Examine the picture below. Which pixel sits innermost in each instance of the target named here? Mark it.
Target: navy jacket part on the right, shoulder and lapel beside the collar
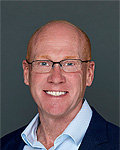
(100, 134)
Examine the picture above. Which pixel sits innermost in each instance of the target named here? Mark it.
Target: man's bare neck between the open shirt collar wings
(49, 130)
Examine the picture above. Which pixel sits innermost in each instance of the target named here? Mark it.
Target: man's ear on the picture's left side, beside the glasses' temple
(25, 72)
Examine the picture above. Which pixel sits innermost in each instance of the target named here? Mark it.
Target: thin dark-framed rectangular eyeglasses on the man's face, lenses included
(68, 65)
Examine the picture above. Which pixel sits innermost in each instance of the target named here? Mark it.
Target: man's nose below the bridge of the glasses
(56, 75)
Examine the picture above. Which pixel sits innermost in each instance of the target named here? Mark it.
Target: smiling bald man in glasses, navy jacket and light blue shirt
(57, 69)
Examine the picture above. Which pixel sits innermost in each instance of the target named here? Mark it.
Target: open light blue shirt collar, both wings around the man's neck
(75, 130)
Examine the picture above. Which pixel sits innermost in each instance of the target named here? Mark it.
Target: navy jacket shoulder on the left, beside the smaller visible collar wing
(12, 138)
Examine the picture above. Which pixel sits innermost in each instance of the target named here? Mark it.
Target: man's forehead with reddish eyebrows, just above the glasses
(55, 49)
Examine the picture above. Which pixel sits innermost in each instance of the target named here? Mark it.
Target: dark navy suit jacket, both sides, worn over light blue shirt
(100, 135)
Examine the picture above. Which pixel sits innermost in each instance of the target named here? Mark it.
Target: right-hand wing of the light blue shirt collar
(78, 127)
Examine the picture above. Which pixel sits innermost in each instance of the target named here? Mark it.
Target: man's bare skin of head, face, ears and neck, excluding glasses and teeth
(56, 41)
